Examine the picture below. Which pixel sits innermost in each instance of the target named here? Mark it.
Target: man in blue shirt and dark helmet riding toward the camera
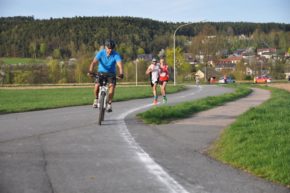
(107, 59)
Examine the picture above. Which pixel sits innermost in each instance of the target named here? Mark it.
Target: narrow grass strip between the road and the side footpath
(165, 114)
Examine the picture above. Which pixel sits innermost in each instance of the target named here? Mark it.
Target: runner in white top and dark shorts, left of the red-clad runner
(153, 70)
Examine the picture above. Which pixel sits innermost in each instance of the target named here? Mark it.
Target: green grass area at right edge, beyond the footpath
(258, 141)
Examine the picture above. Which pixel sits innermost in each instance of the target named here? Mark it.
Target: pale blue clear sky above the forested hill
(260, 11)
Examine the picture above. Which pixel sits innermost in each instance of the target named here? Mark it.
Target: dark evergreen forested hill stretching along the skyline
(69, 37)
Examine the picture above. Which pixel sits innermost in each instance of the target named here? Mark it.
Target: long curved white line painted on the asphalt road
(172, 185)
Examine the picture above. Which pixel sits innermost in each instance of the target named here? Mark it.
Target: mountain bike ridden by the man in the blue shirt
(103, 93)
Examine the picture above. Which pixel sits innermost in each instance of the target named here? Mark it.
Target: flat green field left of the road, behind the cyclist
(20, 100)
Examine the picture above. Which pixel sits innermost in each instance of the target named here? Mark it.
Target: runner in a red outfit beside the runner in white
(163, 78)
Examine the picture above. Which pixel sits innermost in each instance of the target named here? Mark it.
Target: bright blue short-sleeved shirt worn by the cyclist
(107, 64)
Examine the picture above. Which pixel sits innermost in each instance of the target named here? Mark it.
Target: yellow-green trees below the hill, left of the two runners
(59, 71)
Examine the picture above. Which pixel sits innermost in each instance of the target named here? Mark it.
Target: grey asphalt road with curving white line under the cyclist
(65, 151)
